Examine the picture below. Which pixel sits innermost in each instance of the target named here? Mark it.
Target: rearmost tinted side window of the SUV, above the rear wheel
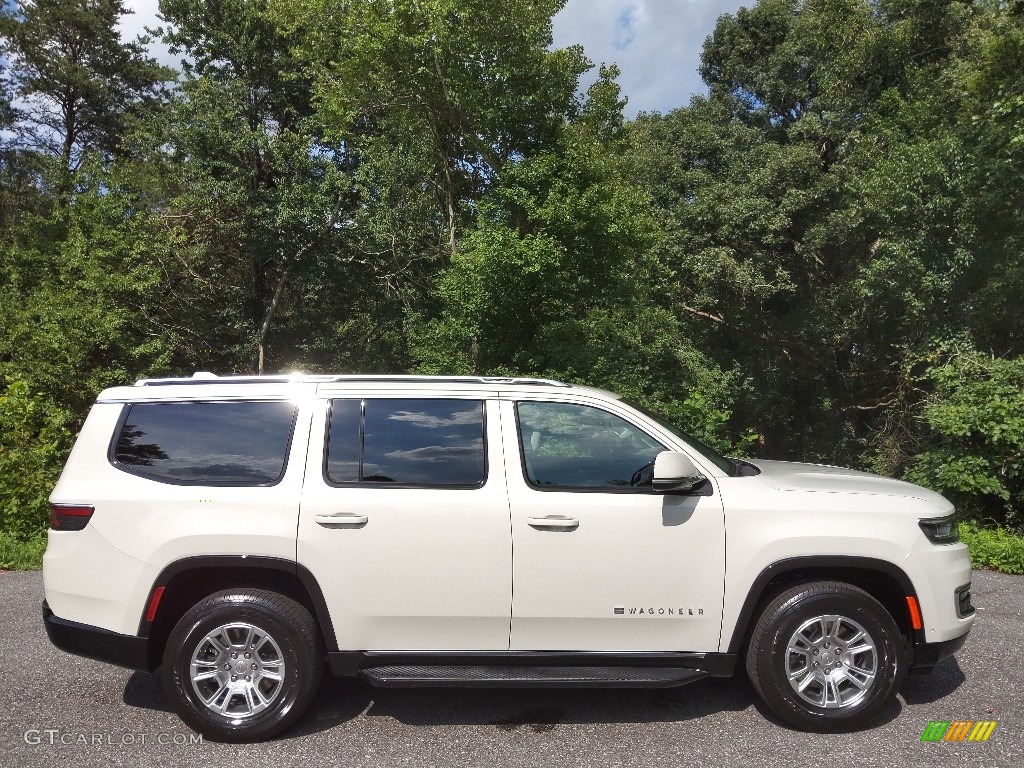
(206, 444)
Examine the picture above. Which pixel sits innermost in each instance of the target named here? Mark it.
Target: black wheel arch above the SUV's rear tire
(187, 582)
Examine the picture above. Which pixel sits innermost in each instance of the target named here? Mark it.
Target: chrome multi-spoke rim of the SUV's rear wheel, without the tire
(238, 671)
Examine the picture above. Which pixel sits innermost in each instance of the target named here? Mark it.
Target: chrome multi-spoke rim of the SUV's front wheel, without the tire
(832, 662)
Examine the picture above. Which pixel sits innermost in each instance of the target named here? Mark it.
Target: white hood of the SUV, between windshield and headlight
(822, 478)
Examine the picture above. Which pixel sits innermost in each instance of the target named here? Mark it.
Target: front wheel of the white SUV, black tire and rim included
(803, 669)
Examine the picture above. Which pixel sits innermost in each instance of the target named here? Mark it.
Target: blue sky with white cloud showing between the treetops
(656, 44)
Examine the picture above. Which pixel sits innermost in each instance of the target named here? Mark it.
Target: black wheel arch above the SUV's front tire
(884, 581)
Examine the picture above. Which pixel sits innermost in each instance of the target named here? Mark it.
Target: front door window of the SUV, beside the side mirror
(578, 447)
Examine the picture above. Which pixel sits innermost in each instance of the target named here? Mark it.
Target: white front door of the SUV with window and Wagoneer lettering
(602, 563)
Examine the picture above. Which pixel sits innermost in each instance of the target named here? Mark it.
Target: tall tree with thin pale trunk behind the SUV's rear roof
(262, 210)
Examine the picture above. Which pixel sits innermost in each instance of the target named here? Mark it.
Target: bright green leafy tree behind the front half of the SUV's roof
(559, 280)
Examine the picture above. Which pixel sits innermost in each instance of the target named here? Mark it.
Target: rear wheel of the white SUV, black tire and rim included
(274, 699)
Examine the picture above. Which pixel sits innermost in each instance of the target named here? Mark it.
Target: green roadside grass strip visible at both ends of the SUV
(995, 549)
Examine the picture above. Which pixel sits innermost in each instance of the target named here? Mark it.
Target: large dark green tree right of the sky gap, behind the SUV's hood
(796, 195)
